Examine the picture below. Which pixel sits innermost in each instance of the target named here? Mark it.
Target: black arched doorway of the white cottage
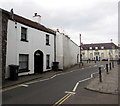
(38, 61)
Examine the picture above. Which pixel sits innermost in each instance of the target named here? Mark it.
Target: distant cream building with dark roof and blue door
(100, 51)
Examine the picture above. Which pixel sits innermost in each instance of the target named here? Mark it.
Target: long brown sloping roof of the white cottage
(28, 22)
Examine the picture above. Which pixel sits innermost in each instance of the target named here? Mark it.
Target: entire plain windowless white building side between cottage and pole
(67, 52)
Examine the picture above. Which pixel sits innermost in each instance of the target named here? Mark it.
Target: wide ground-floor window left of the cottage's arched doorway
(23, 62)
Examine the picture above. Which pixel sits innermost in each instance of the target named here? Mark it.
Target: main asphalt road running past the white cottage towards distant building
(48, 91)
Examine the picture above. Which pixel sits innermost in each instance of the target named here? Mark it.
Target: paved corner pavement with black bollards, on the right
(109, 84)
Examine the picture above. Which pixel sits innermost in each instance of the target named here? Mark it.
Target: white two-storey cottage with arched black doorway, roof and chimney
(29, 45)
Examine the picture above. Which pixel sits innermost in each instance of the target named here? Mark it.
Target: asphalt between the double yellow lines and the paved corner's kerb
(84, 96)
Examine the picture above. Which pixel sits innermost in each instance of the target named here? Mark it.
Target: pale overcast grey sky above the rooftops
(96, 20)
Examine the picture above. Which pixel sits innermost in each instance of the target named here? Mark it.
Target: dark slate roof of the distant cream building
(99, 45)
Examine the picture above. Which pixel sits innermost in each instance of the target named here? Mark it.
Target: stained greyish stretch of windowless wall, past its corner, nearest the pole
(70, 52)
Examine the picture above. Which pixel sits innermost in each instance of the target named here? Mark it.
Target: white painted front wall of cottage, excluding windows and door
(36, 41)
